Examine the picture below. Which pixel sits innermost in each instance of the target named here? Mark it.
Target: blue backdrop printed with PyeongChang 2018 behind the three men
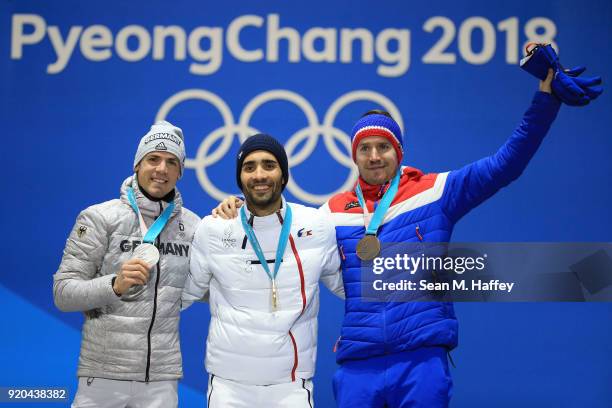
(83, 82)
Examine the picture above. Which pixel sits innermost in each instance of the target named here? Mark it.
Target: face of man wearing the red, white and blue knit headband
(376, 160)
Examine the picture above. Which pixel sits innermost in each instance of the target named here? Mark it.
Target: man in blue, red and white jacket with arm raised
(394, 354)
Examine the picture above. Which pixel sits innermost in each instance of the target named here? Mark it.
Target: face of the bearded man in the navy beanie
(262, 179)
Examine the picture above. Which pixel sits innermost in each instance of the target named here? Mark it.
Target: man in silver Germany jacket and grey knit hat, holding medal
(130, 351)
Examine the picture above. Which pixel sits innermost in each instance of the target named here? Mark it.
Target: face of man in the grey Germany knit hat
(158, 172)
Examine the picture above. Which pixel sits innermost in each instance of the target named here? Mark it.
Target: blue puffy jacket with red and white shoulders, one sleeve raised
(426, 208)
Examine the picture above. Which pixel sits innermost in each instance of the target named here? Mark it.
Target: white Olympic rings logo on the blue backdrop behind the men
(205, 158)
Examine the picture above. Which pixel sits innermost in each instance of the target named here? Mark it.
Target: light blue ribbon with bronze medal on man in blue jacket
(369, 246)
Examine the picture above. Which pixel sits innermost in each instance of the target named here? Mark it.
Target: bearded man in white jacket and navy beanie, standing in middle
(262, 271)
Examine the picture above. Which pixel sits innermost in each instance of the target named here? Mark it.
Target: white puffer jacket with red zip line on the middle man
(247, 341)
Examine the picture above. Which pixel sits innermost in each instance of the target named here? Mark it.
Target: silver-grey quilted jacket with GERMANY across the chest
(136, 336)
